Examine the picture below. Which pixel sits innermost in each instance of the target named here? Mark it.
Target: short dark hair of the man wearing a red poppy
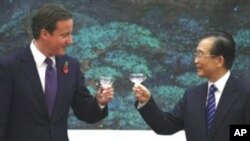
(47, 18)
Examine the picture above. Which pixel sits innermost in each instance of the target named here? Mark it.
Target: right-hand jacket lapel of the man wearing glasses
(228, 97)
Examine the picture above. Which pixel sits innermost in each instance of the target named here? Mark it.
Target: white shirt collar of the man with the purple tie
(39, 57)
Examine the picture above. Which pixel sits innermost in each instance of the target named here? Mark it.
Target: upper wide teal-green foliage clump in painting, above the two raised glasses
(90, 42)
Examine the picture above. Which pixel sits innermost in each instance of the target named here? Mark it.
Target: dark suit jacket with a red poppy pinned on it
(23, 110)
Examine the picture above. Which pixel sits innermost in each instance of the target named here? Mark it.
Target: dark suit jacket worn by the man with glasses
(189, 113)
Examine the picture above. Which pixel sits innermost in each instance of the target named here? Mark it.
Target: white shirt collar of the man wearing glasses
(220, 84)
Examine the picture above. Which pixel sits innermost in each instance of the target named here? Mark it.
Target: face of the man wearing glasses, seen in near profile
(206, 64)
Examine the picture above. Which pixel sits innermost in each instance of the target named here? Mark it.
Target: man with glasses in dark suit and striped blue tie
(204, 114)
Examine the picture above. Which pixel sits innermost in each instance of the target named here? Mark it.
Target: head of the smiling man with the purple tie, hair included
(52, 28)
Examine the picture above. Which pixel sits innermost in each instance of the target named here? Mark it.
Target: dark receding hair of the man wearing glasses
(223, 45)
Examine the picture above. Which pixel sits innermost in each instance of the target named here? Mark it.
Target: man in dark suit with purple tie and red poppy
(36, 95)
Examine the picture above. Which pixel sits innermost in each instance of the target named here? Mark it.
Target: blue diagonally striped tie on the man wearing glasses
(210, 107)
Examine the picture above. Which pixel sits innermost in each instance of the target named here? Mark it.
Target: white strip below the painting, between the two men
(123, 135)
